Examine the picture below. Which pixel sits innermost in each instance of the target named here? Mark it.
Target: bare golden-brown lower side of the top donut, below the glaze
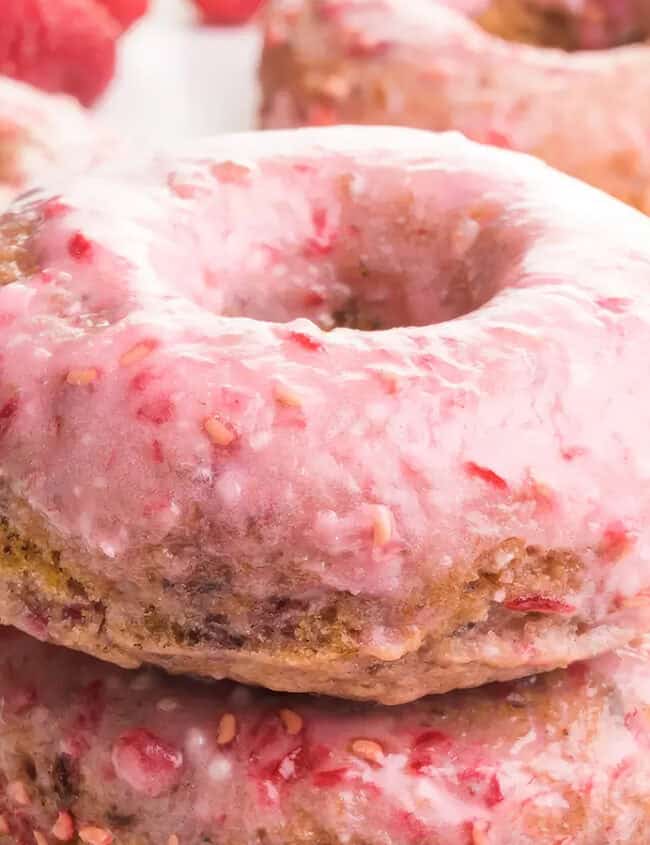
(52, 591)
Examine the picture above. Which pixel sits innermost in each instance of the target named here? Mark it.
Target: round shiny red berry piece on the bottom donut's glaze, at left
(147, 763)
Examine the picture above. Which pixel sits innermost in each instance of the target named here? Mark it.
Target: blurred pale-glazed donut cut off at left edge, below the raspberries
(37, 133)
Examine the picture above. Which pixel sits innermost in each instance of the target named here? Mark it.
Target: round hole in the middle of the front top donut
(359, 251)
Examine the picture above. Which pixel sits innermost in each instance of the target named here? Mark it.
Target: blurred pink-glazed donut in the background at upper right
(433, 66)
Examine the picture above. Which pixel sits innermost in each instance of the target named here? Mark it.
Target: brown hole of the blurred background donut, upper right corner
(601, 24)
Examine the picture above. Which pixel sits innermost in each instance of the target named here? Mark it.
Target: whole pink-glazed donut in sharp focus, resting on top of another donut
(196, 474)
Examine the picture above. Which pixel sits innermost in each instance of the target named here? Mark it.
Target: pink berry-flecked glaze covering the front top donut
(166, 362)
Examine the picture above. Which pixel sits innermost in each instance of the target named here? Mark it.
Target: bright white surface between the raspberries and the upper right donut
(177, 79)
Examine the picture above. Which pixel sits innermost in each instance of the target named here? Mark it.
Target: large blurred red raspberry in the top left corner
(67, 46)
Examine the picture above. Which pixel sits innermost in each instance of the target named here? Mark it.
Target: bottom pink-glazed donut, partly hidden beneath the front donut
(91, 749)
